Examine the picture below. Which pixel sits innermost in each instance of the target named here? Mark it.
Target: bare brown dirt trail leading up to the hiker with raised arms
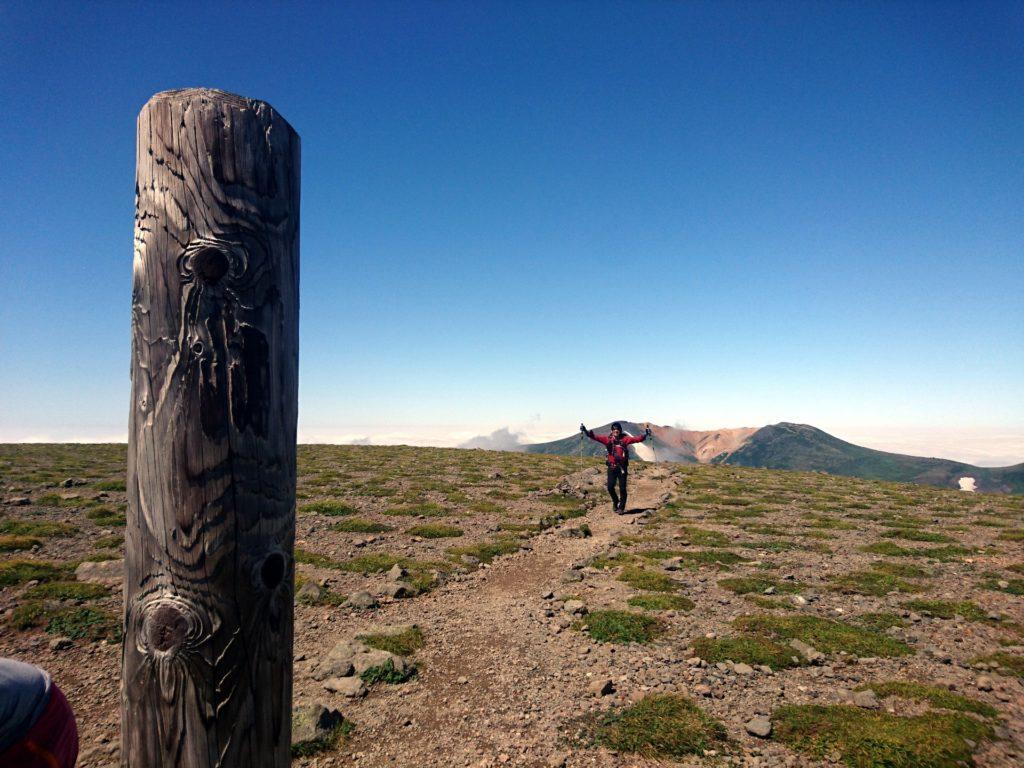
(498, 676)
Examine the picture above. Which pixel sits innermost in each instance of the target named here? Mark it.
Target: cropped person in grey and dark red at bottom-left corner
(37, 727)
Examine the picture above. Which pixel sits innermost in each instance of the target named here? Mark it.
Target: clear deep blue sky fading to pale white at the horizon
(526, 216)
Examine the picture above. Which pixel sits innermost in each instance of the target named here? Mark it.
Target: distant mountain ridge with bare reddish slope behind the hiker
(796, 447)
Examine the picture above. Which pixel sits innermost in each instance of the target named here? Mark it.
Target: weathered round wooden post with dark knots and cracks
(207, 659)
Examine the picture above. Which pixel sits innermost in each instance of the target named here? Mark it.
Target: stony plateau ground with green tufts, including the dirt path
(478, 609)
